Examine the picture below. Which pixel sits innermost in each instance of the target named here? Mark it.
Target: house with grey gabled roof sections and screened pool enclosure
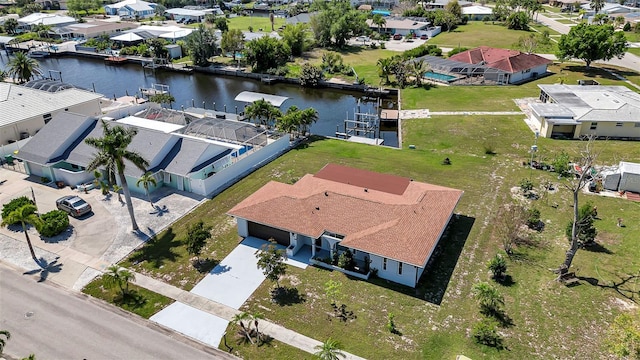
(187, 157)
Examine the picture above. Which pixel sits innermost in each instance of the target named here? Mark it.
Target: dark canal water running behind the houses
(333, 106)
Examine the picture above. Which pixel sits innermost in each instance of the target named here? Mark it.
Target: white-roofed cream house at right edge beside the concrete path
(572, 111)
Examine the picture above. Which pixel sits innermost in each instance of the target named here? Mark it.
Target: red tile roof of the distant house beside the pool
(511, 61)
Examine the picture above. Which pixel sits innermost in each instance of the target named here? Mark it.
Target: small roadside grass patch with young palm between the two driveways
(140, 301)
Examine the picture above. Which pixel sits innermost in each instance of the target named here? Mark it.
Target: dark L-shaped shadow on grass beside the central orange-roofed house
(437, 274)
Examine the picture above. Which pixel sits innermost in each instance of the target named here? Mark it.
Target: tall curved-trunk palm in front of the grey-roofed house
(112, 152)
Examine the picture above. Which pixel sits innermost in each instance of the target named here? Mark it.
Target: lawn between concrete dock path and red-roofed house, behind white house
(499, 98)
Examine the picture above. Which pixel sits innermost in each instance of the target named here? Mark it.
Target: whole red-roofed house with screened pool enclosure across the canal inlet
(516, 65)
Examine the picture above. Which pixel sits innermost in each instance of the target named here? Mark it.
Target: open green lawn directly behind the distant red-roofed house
(478, 33)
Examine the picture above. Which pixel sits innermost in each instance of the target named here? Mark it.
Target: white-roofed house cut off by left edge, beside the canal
(25, 109)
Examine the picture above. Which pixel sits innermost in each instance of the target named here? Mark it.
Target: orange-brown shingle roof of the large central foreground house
(404, 227)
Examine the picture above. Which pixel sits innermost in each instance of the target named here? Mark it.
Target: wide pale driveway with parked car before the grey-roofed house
(94, 241)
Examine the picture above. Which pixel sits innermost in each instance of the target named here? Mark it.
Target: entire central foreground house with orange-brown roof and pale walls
(387, 222)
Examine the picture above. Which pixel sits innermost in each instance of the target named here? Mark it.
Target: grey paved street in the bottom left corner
(55, 324)
